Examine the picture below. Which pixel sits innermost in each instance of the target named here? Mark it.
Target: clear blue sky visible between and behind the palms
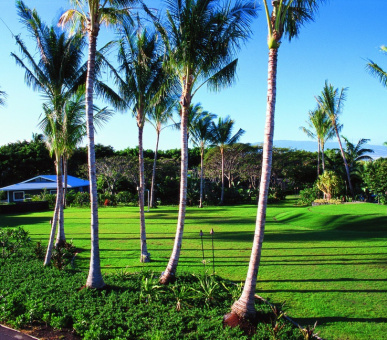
(335, 48)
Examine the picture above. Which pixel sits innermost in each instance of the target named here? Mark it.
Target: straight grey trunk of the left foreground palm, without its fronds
(94, 279)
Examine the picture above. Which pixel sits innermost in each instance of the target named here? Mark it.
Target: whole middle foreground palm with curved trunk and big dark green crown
(200, 38)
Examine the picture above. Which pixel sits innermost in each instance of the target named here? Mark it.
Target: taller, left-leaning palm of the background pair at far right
(331, 101)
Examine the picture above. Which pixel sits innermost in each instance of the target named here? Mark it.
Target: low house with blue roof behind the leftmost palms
(36, 185)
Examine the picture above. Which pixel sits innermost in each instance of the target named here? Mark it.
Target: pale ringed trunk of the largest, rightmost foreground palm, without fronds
(244, 307)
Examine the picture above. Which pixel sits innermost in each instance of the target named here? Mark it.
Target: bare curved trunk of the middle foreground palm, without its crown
(169, 274)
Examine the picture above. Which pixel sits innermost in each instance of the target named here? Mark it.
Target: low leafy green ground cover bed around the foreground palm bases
(133, 306)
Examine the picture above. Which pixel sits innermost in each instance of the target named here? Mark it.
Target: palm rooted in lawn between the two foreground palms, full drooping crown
(140, 60)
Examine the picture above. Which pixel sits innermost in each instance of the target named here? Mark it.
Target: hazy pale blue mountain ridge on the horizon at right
(379, 150)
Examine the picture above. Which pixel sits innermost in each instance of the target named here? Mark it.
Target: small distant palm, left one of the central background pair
(201, 136)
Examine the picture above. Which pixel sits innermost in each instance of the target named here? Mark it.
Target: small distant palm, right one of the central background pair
(222, 136)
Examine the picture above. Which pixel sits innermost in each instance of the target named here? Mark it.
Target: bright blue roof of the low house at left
(45, 182)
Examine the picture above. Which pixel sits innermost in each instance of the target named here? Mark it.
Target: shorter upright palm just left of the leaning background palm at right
(320, 128)
